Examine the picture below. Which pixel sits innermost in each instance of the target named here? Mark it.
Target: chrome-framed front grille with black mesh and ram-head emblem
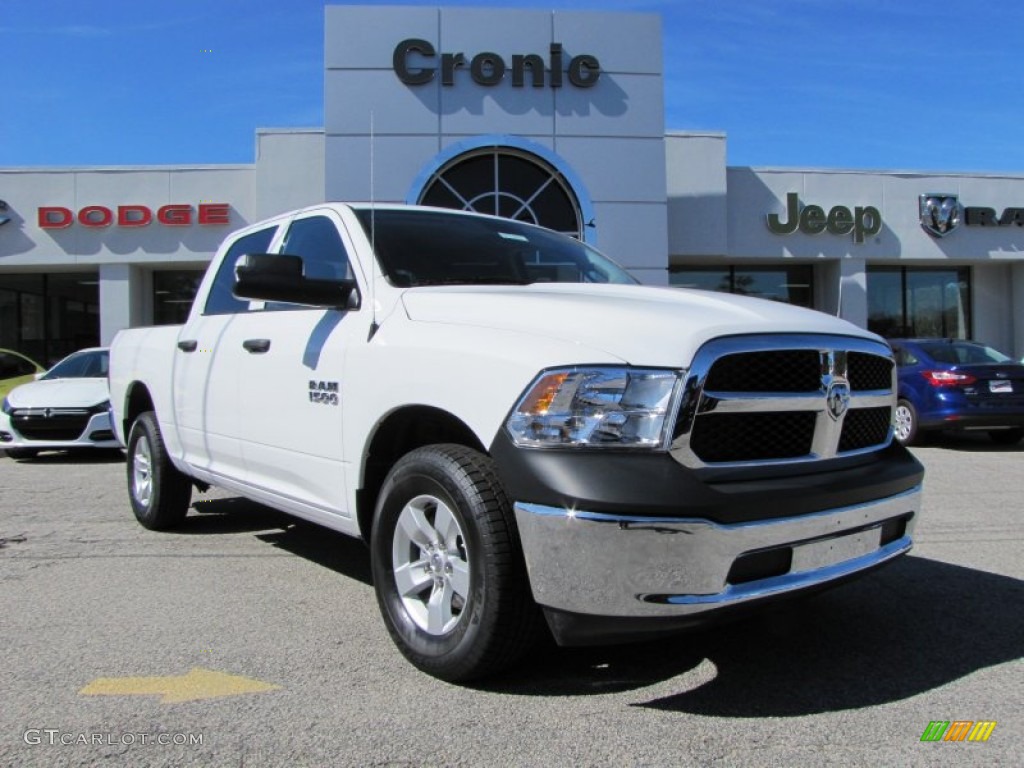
(790, 423)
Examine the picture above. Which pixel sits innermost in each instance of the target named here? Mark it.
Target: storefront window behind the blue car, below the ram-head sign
(921, 303)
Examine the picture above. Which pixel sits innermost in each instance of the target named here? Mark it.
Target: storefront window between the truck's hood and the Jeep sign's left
(791, 284)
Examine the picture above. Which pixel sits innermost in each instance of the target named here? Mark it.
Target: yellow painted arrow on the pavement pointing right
(198, 685)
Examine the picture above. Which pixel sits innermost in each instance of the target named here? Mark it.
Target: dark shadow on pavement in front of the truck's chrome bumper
(911, 628)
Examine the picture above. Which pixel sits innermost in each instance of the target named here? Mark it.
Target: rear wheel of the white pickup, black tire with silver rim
(160, 494)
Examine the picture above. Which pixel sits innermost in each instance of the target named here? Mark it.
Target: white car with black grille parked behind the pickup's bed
(69, 407)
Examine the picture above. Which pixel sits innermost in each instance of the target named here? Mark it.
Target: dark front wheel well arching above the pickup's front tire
(402, 432)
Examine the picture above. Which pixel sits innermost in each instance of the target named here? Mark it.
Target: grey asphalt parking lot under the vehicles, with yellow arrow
(111, 636)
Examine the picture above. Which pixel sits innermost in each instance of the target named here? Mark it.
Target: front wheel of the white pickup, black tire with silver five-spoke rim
(473, 547)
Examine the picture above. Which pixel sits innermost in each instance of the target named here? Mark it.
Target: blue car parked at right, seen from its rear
(953, 385)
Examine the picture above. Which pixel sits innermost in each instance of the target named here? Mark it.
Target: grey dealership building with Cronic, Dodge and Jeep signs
(551, 117)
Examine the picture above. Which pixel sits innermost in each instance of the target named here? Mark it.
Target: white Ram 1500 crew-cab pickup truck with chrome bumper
(519, 430)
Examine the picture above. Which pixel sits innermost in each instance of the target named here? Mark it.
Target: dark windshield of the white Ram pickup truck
(433, 248)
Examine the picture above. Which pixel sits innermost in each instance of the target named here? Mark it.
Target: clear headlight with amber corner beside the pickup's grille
(617, 408)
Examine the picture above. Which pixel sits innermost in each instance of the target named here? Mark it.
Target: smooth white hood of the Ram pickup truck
(641, 325)
